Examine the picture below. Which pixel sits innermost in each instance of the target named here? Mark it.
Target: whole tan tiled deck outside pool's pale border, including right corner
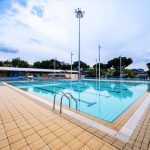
(25, 124)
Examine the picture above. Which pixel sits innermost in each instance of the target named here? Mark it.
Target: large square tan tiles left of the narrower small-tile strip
(25, 124)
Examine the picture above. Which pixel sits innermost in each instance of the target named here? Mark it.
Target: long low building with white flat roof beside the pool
(7, 73)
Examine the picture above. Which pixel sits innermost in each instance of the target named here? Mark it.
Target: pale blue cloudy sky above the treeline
(37, 30)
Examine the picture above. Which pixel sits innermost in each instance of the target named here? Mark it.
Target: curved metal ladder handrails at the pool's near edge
(68, 97)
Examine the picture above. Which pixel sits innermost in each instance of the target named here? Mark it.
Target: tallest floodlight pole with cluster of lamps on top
(79, 14)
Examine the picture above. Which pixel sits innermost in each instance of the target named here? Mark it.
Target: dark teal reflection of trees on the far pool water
(115, 89)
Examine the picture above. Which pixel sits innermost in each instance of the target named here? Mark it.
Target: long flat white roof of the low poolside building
(33, 69)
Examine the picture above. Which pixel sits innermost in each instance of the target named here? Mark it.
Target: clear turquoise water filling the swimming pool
(104, 100)
